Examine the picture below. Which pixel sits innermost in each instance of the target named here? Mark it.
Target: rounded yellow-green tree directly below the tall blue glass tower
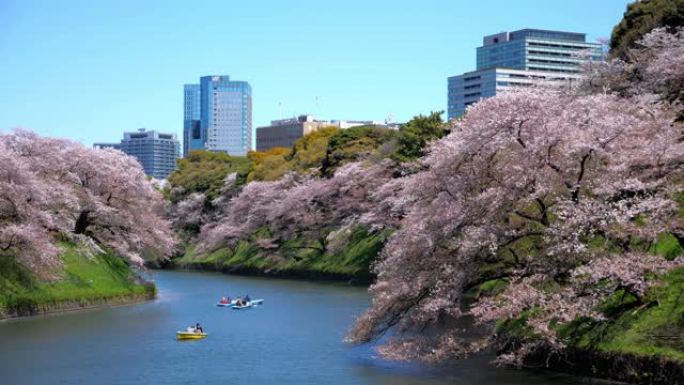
(204, 171)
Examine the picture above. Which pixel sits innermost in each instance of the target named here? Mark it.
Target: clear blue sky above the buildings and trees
(88, 70)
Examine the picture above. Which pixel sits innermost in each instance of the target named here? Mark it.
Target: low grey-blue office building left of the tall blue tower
(155, 151)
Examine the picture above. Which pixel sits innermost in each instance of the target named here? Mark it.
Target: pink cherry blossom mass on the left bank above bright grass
(54, 188)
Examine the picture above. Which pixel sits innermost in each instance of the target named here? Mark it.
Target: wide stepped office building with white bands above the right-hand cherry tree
(520, 58)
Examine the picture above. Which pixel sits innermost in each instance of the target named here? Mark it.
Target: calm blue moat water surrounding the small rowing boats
(294, 338)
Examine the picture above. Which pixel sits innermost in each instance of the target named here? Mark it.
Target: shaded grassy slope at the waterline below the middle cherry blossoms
(299, 257)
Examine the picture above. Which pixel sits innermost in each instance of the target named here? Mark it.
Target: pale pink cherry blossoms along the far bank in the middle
(295, 206)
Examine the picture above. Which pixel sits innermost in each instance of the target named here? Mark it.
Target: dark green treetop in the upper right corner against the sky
(640, 18)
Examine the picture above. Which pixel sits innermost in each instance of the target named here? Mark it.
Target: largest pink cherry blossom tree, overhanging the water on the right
(537, 188)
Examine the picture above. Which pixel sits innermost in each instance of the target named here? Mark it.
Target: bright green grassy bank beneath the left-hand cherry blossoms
(83, 282)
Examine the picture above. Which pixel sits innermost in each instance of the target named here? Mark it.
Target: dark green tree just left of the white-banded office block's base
(414, 135)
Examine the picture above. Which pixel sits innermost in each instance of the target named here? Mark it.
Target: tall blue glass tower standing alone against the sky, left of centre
(218, 116)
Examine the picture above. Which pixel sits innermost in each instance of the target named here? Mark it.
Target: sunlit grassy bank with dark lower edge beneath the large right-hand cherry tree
(640, 341)
